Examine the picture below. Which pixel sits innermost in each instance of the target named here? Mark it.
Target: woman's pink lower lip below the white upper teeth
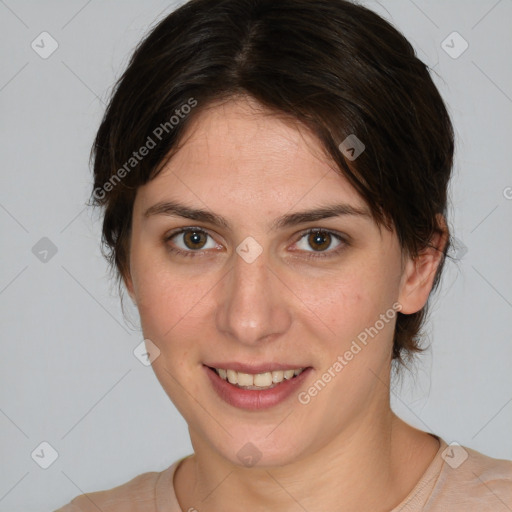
(254, 399)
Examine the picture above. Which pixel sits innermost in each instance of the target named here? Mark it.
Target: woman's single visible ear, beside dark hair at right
(418, 273)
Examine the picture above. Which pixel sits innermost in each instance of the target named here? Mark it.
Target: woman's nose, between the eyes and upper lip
(253, 304)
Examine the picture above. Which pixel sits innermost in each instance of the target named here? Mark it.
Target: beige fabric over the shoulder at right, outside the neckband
(473, 479)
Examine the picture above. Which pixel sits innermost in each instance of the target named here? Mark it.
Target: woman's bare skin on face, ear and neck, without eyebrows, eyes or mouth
(345, 450)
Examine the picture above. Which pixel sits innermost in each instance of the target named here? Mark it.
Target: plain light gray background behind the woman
(68, 374)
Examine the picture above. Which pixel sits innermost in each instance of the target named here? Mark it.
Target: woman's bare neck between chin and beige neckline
(364, 468)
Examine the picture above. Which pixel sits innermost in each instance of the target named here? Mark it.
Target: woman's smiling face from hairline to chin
(258, 290)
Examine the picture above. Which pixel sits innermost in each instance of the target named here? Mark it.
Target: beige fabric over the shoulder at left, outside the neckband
(136, 495)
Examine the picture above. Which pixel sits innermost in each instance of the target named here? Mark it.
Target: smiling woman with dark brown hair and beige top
(274, 177)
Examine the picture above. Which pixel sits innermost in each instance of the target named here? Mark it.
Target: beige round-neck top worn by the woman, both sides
(458, 479)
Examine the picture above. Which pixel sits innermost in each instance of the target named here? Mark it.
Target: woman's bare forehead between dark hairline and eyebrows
(239, 148)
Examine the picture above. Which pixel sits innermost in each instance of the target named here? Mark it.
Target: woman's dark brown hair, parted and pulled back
(335, 66)
